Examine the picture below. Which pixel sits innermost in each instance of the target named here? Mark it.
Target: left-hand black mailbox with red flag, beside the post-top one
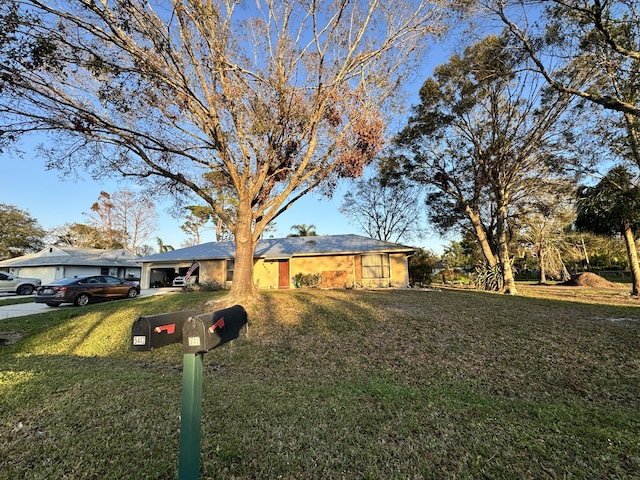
(156, 331)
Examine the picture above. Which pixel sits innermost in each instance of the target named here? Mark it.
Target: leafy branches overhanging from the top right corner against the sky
(590, 49)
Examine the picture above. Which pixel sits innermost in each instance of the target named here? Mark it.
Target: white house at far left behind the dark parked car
(53, 263)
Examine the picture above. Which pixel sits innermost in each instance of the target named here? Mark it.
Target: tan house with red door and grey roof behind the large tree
(341, 260)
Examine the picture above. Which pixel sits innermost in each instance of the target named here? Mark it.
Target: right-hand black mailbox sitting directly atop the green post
(204, 332)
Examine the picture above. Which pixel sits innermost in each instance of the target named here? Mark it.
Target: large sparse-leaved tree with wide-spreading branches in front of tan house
(269, 99)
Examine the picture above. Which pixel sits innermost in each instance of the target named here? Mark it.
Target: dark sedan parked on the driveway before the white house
(83, 290)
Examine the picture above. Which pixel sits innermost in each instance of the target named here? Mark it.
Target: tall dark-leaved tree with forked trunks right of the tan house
(484, 139)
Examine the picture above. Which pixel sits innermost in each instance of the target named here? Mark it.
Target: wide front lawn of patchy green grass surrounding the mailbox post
(333, 384)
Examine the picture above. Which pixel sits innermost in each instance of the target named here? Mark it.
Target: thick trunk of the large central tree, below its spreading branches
(242, 286)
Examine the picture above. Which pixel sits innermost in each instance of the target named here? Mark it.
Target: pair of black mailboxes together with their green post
(198, 334)
